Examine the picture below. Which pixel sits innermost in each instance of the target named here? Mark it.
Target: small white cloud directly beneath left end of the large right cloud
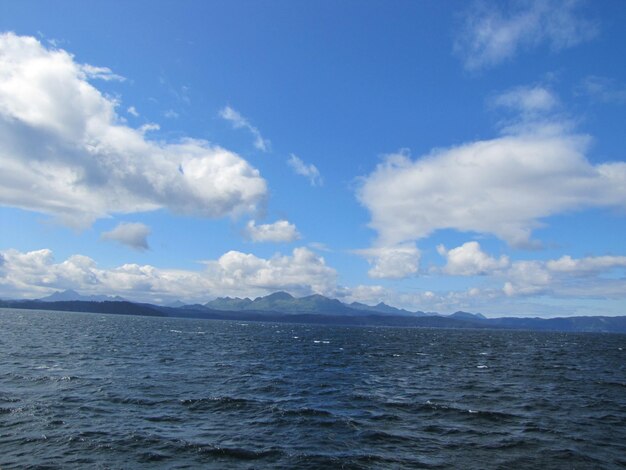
(392, 262)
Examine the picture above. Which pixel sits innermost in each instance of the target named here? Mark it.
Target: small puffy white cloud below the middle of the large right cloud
(469, 260)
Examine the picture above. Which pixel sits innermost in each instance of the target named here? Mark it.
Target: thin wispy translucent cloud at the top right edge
(496, 31)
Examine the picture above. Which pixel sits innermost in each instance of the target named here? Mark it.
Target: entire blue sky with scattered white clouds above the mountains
(435, 156)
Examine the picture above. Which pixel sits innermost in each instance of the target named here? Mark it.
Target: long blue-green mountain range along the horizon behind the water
(317, 309)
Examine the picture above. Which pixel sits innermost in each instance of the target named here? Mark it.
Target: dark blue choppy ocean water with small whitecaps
(106, 391)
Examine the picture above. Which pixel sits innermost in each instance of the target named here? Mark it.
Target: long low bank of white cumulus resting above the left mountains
(36, 273)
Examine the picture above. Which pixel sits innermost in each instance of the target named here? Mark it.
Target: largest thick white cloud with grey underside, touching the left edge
(64, 151)
